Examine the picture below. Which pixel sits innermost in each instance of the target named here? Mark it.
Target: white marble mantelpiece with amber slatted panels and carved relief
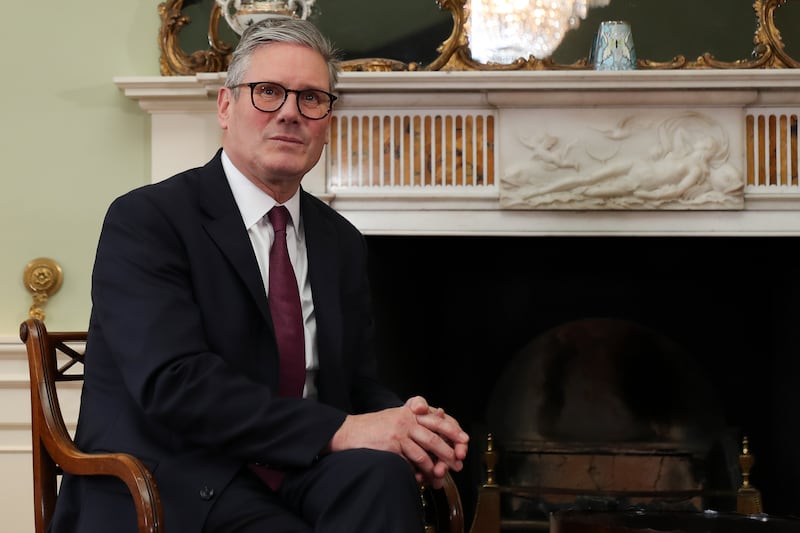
(496, 153)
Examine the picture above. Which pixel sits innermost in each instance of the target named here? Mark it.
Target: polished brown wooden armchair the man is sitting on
(55, 357)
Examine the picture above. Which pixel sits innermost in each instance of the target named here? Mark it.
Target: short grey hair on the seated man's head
(281, 30)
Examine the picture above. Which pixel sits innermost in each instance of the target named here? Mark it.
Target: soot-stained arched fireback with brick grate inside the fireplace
(605, 414)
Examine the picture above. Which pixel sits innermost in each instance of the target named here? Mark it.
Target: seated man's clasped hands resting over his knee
(428, 438)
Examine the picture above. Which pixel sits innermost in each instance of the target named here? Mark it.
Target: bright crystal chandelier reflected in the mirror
(502, 31)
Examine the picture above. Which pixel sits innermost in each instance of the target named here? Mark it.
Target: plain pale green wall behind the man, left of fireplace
(70, 141)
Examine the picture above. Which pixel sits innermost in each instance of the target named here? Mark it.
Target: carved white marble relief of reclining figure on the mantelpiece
(639, 160)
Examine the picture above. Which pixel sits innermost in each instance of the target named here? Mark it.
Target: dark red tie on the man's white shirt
(284, 305)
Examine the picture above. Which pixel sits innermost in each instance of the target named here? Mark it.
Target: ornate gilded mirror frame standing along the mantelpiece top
(454, 54)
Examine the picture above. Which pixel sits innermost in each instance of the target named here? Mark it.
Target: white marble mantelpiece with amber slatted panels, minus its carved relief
(510, 106)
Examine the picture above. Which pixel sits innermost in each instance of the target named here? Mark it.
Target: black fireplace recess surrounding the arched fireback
(452, 312)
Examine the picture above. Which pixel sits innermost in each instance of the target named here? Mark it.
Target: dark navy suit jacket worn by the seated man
(182, 364)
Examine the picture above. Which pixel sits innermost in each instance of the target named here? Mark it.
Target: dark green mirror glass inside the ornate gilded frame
(411, 30)
